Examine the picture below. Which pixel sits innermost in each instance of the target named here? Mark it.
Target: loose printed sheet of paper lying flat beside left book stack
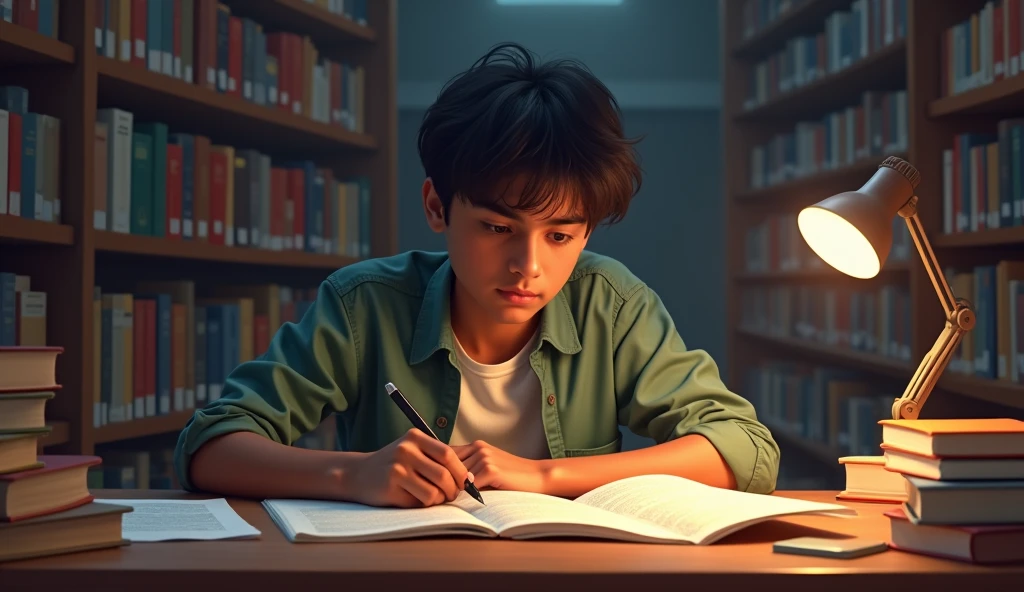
(153, 521)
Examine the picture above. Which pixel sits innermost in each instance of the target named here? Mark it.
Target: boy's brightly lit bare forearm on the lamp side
(692, 457)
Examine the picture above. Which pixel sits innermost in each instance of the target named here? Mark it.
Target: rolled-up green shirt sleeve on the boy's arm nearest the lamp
(667, 392)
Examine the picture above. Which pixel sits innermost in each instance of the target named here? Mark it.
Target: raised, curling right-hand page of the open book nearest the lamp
(696, 512)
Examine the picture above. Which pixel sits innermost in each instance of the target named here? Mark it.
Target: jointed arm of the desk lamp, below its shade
(960, 320)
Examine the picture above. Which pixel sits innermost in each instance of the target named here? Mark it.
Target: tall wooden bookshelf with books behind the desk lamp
(798, 329)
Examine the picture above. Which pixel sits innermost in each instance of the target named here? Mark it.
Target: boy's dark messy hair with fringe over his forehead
(554, 124)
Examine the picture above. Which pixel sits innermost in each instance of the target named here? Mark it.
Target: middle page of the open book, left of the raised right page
(527, 516)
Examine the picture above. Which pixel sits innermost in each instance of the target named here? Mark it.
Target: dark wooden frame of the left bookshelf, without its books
(67, 77)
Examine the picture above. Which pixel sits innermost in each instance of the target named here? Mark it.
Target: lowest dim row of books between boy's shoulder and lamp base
(833, 407)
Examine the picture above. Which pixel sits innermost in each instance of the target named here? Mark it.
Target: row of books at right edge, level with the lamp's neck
(982, 180)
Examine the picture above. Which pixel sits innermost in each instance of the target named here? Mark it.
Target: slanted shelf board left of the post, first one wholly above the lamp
(884, 70)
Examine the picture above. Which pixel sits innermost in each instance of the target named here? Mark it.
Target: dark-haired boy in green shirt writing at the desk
(522, 351)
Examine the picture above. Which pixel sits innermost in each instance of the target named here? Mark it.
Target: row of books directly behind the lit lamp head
(776, 245)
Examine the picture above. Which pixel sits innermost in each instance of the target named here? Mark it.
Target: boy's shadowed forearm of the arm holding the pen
(247, 464)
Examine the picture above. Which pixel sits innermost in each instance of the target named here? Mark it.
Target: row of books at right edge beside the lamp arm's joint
(996, 348)
